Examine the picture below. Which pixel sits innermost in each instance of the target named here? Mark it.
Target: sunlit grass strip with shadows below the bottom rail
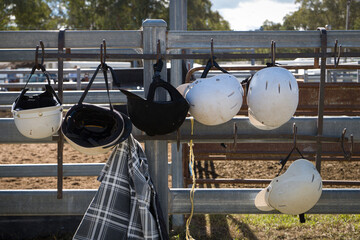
(271, 226)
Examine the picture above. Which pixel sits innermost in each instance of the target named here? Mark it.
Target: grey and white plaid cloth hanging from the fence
(125, 205)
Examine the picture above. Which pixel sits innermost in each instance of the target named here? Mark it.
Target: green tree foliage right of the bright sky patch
(312, 14)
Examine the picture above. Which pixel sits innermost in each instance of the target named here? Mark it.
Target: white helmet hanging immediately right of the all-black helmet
(214, 100)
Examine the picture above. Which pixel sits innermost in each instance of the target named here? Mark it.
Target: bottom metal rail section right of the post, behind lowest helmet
(241, 201)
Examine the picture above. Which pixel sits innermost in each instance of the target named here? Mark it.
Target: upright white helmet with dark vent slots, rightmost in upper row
(272, 97)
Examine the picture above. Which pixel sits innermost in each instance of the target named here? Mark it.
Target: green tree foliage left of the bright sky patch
(101, 14)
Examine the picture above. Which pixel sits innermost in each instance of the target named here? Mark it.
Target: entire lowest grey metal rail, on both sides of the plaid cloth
(212, 201)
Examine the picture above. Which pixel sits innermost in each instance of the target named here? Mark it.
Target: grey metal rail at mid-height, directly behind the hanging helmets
(224, 133)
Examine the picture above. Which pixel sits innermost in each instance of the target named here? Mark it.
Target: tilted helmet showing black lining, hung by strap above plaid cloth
(93, 129)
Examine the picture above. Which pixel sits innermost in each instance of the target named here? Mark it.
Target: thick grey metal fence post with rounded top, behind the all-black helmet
(156, 151)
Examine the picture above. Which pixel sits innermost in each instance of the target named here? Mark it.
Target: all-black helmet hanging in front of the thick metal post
(157, 117)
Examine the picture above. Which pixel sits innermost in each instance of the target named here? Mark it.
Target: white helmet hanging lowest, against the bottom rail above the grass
(294, 192)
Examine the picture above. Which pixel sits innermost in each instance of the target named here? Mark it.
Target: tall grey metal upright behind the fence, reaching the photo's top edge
(178, 21)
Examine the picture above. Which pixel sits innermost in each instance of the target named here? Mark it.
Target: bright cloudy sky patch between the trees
(244, 15)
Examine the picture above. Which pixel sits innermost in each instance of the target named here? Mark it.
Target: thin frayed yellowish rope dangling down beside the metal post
(192, 191)
